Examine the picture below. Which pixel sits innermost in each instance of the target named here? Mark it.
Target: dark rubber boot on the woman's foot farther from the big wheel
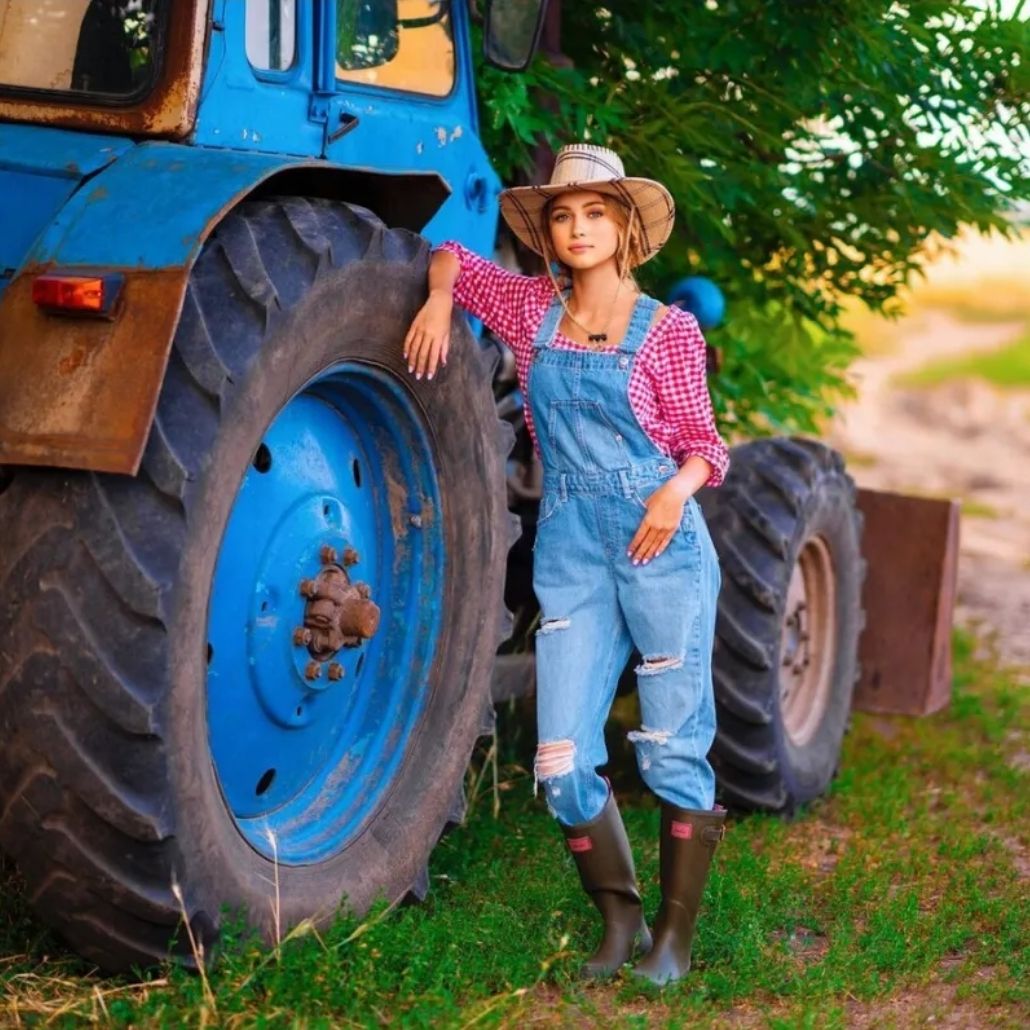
(689, 841)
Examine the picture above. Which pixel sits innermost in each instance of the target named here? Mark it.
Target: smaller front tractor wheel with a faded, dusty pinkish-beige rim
(786, 655)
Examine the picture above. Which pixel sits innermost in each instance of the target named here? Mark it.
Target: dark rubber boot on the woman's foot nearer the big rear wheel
(601, 850)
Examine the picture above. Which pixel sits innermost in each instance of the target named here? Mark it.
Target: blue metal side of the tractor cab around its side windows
(294, 112)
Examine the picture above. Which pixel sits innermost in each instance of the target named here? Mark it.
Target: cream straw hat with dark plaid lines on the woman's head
(583, 166)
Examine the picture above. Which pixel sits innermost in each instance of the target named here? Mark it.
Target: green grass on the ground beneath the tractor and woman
(899, 895)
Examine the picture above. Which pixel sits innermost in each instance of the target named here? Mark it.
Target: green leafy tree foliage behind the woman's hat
(815, 150)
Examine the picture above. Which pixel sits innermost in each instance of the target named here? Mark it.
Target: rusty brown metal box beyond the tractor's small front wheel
(911, 546)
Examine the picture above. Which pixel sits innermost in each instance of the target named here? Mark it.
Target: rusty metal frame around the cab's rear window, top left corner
(168, 111)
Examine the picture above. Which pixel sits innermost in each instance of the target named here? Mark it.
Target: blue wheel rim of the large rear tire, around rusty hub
(303, 764)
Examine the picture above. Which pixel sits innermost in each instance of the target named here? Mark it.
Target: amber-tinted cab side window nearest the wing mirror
(398, 45)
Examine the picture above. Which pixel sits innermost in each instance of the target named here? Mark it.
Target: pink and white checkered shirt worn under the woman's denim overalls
(668, 389)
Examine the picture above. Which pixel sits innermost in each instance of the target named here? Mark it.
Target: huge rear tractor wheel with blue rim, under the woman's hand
(198, 711)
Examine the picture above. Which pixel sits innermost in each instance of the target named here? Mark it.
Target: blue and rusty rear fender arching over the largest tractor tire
(81, 393)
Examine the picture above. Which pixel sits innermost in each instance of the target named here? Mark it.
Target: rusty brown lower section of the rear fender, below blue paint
(82, 393)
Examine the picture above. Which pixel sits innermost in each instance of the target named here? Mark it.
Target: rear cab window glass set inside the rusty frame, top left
(107, 49)
